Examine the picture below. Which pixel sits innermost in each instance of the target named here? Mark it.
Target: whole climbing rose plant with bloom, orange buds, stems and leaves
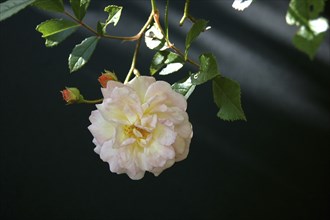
(141, 124)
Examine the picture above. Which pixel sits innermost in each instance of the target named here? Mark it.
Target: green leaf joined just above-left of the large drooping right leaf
(208, 69)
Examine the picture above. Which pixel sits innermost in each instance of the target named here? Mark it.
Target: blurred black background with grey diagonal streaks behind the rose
(274, 166)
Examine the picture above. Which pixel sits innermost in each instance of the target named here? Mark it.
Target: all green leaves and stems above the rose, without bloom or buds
(168, 59)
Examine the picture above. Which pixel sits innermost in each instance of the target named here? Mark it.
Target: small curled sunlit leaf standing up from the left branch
(114, 16)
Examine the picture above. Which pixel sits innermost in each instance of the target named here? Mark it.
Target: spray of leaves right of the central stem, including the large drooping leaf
(226, 92)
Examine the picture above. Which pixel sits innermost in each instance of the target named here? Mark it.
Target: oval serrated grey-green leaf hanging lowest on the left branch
(82, 53)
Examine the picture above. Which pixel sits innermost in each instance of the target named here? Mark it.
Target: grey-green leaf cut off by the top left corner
(11, 7)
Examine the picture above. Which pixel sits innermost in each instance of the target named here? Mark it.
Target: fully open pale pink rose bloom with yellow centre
(141, 126)
